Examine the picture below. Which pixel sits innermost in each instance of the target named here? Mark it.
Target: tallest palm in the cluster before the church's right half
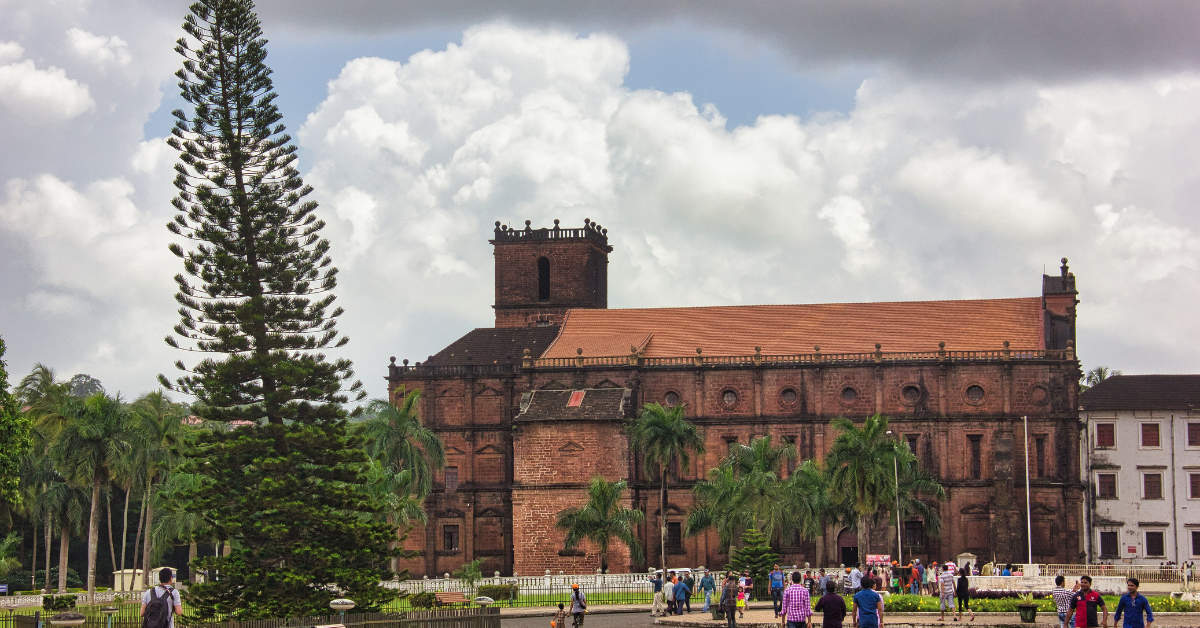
(861, 477)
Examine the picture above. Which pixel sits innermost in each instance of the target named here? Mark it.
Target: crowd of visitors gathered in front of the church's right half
(793, 595)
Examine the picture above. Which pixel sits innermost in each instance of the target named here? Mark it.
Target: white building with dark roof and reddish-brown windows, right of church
(1142, 462)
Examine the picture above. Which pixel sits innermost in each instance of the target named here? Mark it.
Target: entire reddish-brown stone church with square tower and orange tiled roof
(533, 409)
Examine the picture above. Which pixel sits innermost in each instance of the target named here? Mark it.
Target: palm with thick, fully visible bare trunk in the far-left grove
(88, 448)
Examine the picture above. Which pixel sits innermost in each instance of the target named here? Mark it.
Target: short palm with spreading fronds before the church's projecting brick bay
(602, 521)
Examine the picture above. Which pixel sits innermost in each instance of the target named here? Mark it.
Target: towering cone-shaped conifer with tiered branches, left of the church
(287, 492)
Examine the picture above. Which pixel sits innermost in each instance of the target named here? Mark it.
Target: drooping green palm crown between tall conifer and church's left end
(397, 438)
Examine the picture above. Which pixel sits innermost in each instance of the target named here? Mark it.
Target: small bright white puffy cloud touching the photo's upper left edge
(43, 97)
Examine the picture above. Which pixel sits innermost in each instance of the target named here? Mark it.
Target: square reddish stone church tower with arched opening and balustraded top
(543, 273)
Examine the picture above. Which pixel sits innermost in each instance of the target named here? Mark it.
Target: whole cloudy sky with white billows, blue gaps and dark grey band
(777, 152)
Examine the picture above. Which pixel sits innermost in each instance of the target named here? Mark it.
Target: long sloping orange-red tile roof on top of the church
(982, 325)
